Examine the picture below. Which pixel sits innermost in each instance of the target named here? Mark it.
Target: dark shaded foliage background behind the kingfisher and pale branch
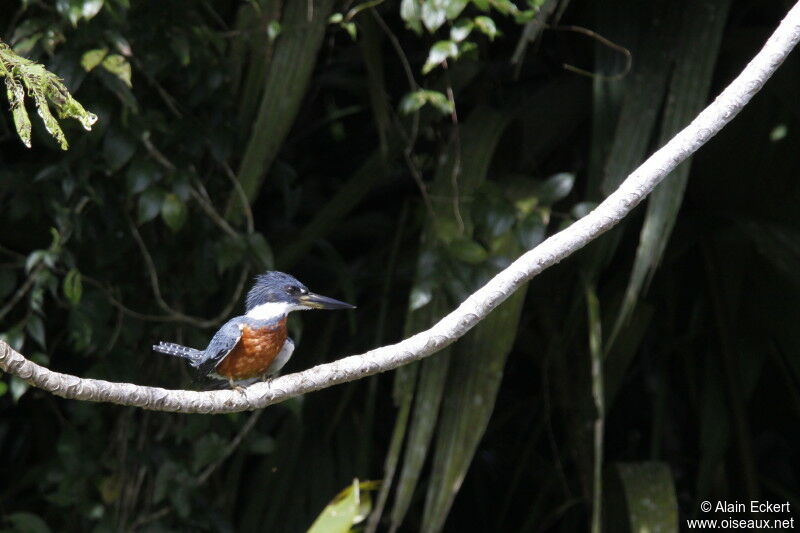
(684, 381)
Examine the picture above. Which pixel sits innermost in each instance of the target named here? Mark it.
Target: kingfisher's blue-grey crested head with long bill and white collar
(274, 294)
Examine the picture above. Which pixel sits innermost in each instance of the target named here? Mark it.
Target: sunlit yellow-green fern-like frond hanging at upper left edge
(25, 76)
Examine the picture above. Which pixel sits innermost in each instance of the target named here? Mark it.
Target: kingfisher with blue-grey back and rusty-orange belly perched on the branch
(255, 345)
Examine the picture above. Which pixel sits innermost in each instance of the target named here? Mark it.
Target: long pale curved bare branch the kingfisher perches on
(632, 191)
